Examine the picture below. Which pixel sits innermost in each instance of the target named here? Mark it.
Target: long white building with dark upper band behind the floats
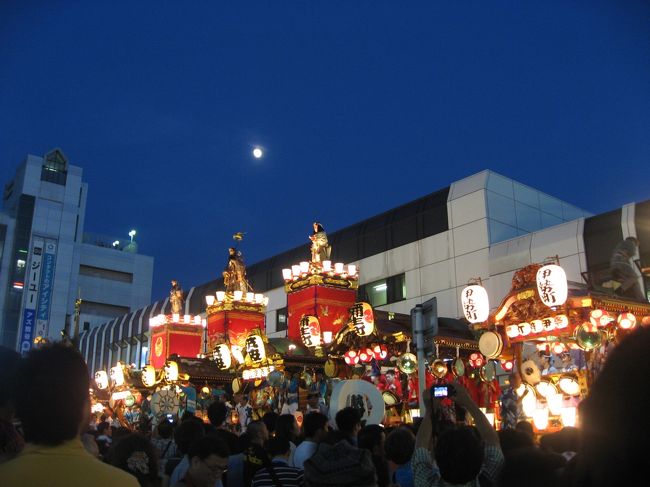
(485, 226)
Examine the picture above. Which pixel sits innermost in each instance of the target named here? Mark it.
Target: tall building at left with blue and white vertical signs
(47, 261)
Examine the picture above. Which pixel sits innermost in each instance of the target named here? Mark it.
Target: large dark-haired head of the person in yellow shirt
(54, 377)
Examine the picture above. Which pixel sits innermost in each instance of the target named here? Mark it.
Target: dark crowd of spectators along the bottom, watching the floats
(45, 438)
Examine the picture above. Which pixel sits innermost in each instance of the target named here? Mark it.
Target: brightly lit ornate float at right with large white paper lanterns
(555, 336)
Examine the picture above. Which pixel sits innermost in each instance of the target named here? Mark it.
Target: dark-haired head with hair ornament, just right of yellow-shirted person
(136, 455)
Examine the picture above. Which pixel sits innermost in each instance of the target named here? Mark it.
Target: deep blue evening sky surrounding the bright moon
(361, 106)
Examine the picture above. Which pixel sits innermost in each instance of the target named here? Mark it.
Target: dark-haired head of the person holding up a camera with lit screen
(459, 454)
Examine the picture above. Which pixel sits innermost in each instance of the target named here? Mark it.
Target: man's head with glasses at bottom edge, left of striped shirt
(208, 461)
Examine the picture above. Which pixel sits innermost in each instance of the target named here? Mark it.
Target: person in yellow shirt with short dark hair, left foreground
(55, 377)
